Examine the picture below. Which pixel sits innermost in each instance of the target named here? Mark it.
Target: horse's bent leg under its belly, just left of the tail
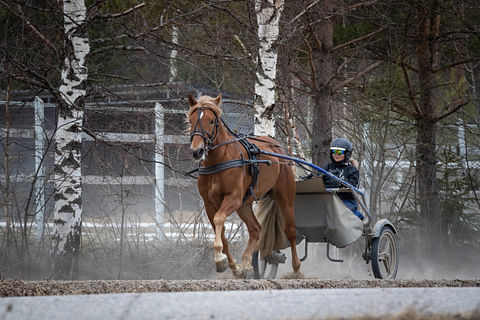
(246, 214)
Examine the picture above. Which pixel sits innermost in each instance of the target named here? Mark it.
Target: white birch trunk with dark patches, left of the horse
(68, 142)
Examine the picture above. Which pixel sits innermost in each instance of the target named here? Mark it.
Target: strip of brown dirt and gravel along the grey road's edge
(43, 288)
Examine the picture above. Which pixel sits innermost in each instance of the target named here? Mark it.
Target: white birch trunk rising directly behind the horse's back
(268, 16)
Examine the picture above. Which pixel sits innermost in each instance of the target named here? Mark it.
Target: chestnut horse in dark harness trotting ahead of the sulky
(225, 184)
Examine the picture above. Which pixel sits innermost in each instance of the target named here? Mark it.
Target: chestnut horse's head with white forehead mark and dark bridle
(204, 117)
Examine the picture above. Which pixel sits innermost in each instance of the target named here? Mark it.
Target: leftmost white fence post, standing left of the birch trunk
(38, 107)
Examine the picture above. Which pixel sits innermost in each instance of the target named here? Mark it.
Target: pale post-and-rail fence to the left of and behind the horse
(133, 158)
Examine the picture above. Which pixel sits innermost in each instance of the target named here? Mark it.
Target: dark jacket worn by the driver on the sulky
(346, 172)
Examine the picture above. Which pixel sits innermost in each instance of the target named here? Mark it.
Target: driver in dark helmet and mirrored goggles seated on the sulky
(341, 166)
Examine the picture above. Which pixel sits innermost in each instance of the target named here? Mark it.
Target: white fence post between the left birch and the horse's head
(159, 169)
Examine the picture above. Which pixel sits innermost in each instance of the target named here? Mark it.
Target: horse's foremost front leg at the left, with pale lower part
(220, 246)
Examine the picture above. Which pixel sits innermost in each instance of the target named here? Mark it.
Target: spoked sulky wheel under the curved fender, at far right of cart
(385, 254)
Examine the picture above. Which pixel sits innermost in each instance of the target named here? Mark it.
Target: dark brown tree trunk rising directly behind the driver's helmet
(322, 60)
